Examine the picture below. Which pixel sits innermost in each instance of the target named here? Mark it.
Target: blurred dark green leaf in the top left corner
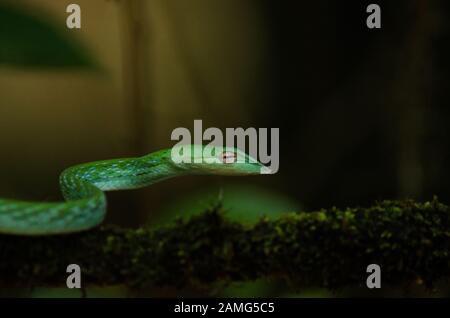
(29, 41)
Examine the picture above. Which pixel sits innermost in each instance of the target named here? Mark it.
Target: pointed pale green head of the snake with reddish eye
(216, 160)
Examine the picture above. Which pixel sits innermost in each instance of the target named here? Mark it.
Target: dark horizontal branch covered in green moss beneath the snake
(330, 248)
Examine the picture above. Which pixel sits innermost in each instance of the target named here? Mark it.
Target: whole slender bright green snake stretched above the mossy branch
(83, 187)
